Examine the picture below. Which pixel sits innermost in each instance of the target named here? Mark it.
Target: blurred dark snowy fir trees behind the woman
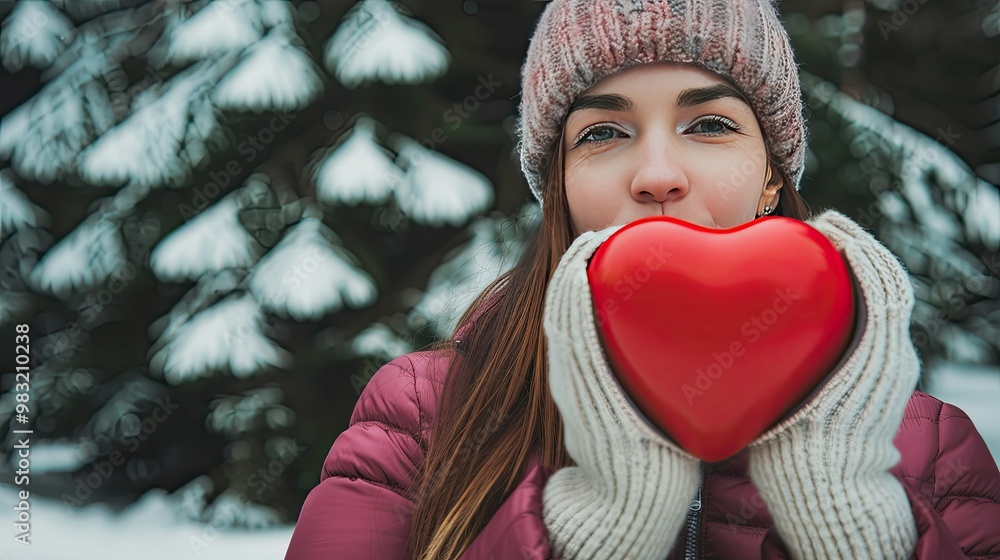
(220, 218)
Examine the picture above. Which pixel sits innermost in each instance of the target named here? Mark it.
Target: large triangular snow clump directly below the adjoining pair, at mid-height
(307, 276)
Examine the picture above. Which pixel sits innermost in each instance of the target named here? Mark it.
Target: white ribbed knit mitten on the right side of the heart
(824, 471)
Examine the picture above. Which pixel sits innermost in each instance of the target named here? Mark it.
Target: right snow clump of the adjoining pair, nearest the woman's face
(437, 190)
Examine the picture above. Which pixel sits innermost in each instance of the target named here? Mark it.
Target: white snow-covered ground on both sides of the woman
(152, 529)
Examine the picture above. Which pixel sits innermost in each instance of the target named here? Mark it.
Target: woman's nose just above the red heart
(660, 174)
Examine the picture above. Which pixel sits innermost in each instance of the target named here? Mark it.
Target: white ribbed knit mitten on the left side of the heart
(628, 493)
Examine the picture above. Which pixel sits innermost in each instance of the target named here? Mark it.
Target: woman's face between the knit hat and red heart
(664, 139)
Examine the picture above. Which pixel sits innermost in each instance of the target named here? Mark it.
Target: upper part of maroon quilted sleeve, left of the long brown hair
(361, 507)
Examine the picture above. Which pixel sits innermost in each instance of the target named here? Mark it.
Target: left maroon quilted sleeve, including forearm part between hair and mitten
(362, 506)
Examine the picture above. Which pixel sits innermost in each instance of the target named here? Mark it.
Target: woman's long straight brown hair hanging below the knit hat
(496, 408)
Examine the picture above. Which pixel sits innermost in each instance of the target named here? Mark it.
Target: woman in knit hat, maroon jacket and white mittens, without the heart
(514, 440)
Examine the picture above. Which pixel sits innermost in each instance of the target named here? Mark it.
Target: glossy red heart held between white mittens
(716, 335)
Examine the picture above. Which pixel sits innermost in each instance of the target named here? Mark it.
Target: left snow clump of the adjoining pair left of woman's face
(359, 170)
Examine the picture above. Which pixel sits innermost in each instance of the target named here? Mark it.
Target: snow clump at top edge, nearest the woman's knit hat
(376, 43)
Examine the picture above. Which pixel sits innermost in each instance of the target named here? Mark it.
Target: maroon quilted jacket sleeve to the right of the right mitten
(956, 501)
